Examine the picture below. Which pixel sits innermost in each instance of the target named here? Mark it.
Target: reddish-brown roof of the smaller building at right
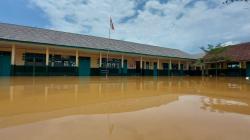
(239, 52)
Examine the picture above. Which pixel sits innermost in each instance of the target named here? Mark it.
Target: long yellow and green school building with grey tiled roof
(29, 51)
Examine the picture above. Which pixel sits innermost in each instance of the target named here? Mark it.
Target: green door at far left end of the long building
(5, 65)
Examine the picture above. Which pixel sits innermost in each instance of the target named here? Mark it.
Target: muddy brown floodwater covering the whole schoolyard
(124, 108)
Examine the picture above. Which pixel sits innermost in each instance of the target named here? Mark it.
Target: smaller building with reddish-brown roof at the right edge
(232, 60)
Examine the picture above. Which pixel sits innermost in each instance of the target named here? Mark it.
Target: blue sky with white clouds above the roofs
(181, 24)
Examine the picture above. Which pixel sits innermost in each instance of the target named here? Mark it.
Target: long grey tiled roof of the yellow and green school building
(44, 36)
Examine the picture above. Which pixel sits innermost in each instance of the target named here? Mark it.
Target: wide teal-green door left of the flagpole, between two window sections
(84, 66)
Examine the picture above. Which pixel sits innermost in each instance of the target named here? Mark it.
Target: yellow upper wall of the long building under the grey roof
(94, 56)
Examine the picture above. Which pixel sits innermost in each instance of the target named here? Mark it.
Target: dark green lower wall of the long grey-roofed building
(74, 71)
